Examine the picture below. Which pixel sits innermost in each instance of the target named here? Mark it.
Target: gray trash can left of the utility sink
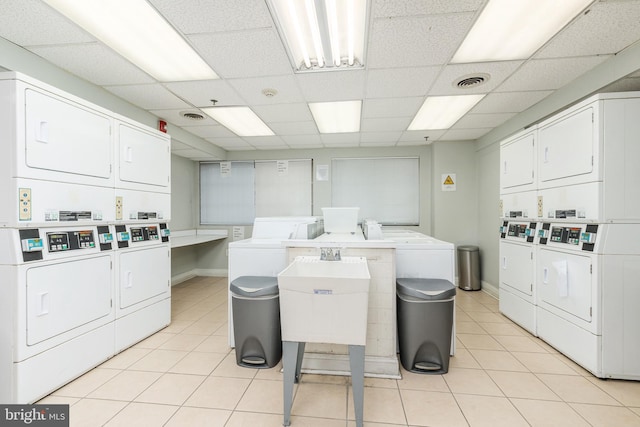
(256, 321)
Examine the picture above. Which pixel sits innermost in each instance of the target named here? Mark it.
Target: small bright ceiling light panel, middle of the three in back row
(337, 117)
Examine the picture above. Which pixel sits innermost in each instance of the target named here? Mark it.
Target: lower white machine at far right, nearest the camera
(587, 280)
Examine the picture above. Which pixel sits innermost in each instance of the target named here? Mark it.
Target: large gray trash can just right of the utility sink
(425, 324)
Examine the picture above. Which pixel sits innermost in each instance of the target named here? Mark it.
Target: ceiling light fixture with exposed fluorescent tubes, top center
(322, 34)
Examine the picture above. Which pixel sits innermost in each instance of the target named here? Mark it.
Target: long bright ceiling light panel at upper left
(138, 32)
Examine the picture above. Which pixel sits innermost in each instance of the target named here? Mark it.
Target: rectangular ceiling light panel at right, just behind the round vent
(441, 112)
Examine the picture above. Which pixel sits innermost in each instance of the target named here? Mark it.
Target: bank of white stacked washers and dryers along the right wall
(586, 248)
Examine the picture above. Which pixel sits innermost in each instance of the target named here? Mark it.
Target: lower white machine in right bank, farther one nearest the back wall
(517, 290)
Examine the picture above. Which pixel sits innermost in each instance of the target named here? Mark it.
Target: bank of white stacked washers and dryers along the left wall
(84, 260)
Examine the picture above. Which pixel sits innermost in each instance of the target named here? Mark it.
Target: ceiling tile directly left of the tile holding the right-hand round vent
(397, 82)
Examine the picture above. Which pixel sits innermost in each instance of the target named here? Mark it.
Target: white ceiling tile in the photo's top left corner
(34, 23)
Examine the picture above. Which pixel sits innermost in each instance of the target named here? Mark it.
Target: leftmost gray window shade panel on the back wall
(227, 199)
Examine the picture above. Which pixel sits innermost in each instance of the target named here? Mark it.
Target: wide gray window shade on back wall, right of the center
(385, 189)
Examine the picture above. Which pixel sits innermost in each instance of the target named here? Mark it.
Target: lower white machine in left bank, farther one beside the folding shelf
(143, 282)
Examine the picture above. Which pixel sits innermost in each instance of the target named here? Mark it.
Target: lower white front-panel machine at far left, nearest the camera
(56, 310)
